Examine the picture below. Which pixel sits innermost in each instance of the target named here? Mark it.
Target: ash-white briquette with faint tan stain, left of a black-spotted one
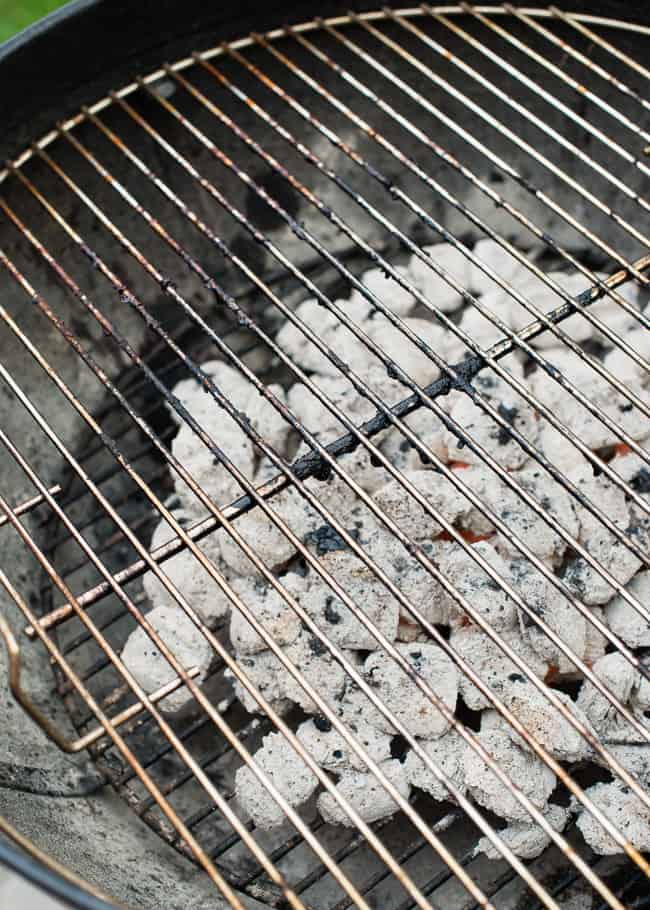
(269, 608)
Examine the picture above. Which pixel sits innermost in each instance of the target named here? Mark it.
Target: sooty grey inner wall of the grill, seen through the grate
(159, 871)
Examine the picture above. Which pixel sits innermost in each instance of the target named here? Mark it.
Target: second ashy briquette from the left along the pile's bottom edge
(365, 794)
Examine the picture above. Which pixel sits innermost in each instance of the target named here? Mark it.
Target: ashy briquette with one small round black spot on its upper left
(330, 750)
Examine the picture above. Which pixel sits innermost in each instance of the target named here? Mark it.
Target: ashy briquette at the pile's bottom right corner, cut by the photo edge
(624, 810)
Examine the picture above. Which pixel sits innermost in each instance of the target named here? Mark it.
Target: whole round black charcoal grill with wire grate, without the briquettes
(181, 218)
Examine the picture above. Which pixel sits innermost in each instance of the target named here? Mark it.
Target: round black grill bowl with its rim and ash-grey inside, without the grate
(88, 844)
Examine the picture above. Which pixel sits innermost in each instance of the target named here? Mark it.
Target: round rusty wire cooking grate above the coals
(308, 100)
